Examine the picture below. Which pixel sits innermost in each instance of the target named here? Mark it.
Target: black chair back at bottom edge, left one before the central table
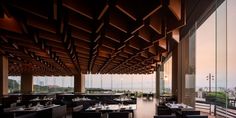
(88, 115)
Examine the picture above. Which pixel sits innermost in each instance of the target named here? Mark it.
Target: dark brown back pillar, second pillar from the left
(26, 83)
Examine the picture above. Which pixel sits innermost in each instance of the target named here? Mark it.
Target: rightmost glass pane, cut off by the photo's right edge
(231, 54)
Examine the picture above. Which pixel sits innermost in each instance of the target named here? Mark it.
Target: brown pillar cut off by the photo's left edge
(3, 75)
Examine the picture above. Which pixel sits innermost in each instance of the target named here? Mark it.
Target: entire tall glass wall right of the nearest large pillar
(215, 61)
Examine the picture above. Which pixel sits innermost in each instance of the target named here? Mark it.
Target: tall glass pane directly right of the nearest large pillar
(205, 63)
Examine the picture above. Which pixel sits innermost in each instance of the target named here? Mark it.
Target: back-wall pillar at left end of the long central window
(79, 83)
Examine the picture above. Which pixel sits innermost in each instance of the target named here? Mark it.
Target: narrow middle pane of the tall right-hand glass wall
(221, 59)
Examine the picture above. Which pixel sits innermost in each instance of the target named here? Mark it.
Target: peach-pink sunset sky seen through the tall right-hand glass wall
(206, 47)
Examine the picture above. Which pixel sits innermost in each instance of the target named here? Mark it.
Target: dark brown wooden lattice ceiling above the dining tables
(66, 37)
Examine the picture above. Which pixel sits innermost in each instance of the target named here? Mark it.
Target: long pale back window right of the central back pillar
(122, 82)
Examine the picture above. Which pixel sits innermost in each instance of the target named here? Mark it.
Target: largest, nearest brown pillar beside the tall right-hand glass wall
(186, 71)
